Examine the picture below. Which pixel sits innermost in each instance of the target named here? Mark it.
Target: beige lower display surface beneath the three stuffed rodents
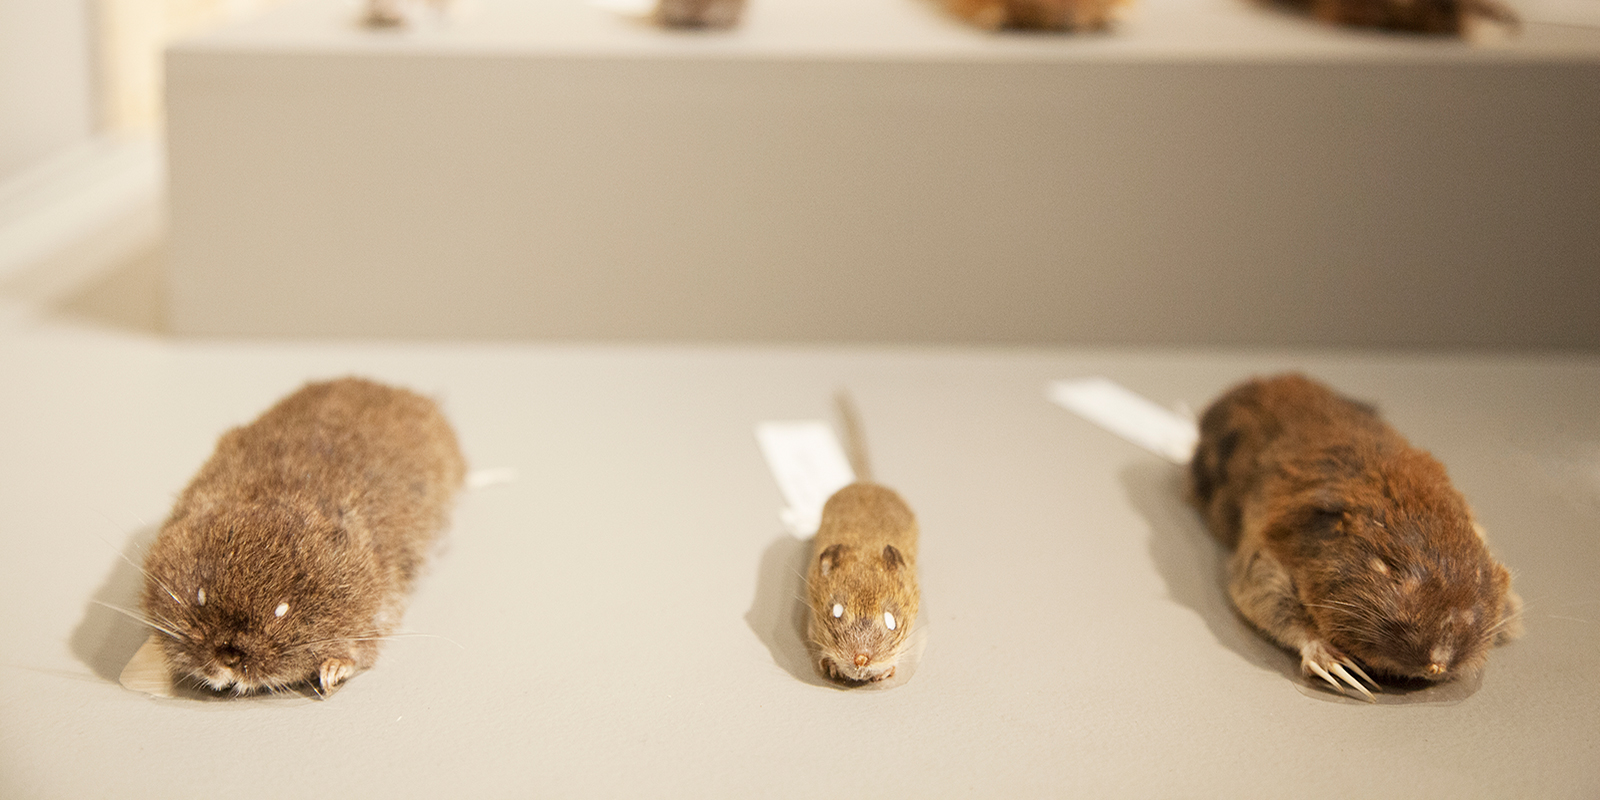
(620, 620)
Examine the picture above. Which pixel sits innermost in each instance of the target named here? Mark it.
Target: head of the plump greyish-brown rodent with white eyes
(250, 599)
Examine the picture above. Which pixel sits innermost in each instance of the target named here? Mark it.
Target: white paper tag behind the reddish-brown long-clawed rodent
(1129, 415)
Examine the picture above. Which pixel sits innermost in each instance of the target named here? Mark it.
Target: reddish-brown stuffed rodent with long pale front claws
(1351, 546)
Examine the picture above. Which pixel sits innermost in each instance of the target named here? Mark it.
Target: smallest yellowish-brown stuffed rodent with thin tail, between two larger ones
(863, 580)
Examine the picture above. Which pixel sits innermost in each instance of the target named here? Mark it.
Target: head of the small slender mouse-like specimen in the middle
(863, 607)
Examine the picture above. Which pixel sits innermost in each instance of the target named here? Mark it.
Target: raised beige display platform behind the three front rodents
(870, 170)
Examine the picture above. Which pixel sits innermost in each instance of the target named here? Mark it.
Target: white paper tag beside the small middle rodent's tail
(809, 466)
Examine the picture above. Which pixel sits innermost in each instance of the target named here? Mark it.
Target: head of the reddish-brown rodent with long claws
(1414, 612)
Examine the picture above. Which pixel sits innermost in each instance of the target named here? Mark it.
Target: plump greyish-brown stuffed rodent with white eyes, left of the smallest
(292, 553)
